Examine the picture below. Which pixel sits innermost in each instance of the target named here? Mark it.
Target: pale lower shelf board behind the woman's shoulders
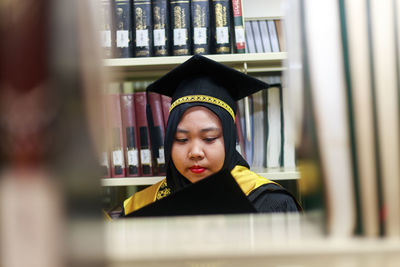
(276, 175)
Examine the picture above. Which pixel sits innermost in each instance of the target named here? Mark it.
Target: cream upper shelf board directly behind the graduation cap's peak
(151, 67)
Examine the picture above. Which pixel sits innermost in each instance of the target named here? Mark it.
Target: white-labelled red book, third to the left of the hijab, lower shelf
(131, 147)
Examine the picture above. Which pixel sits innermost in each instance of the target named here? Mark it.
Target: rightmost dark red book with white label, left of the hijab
(159, 132)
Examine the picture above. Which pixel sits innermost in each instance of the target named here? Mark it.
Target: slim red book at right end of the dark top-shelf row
(238, 23)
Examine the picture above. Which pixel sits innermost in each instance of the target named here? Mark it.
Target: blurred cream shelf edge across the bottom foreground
(240, 240)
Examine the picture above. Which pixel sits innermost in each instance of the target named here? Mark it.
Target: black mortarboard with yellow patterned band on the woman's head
(201, 79)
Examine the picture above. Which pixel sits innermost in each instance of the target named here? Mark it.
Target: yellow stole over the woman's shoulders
(247, 180)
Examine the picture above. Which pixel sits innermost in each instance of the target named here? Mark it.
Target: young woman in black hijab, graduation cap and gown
(200, 137)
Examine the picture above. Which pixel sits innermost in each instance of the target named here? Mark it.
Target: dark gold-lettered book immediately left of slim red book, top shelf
(221, 26)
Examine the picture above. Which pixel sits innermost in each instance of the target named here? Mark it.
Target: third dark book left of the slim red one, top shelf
(181, 29)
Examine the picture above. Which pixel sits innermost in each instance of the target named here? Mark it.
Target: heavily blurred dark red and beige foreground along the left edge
(49, 215)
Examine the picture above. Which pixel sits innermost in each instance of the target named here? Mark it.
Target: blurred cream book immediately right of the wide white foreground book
(362, 105)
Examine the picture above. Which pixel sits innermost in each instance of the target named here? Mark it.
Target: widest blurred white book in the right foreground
(330, 113)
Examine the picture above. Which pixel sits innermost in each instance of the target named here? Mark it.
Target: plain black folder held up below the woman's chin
(216, 194)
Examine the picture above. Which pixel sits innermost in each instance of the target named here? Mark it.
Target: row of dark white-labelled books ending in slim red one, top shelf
(145, 28)
